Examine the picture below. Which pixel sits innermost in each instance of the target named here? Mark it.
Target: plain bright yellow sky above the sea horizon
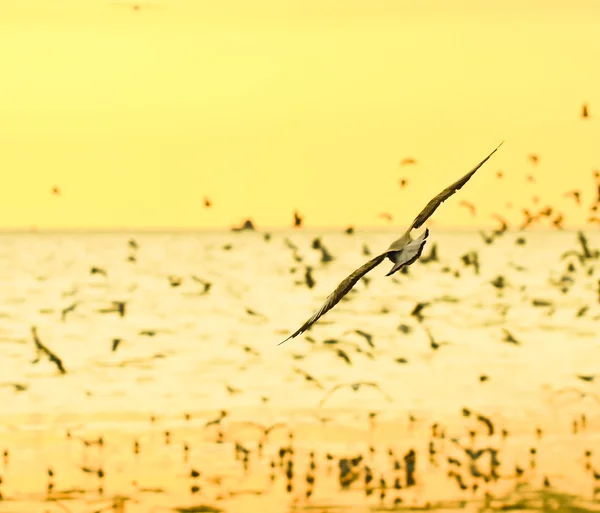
(266, 106)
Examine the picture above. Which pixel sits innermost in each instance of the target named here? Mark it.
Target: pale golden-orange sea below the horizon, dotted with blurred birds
(173, 377)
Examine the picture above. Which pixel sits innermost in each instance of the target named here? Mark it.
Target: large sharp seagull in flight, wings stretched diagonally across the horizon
(401, 252)
